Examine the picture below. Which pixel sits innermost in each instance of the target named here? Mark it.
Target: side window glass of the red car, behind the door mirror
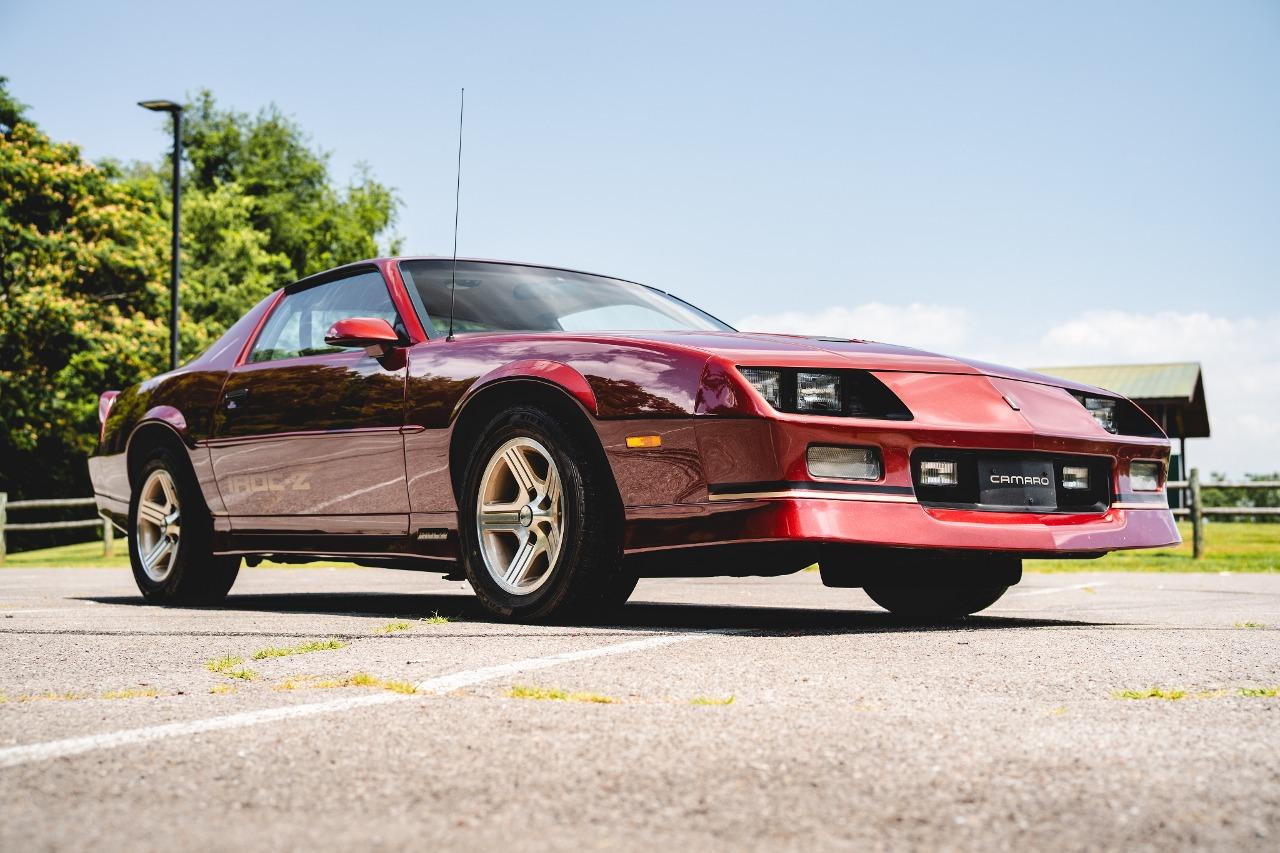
(298, 325)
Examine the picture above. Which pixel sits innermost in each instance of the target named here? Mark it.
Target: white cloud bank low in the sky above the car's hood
(1241, 358)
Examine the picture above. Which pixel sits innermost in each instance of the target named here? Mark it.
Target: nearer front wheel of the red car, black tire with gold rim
(541, 522)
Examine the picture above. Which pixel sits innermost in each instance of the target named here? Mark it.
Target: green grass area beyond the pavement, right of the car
(1229, 546)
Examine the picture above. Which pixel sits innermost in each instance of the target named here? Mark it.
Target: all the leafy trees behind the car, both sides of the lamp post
(85, 264)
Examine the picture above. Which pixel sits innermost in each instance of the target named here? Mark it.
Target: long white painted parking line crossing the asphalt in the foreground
(29, 754)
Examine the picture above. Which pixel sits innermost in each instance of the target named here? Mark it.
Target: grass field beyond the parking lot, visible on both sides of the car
(1228, 548)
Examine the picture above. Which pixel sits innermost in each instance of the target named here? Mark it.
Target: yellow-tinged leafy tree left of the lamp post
(81, 271)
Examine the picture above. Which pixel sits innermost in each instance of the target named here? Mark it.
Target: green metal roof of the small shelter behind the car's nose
(1172, 394)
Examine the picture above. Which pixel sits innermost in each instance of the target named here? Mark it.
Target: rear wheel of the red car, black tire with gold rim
(171, 537)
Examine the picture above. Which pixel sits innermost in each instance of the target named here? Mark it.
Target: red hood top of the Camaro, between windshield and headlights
(813, 352)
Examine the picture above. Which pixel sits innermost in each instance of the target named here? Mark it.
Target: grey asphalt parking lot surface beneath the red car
(761, 714)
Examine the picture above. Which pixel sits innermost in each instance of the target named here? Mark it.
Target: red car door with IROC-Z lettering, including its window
(308, 437)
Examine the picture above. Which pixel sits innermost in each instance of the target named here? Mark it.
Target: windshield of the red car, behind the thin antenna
(510, 298)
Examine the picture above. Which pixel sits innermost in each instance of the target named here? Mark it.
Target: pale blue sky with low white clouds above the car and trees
(1036, 184)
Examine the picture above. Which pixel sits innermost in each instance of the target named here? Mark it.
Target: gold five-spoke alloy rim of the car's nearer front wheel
(520, 517)
